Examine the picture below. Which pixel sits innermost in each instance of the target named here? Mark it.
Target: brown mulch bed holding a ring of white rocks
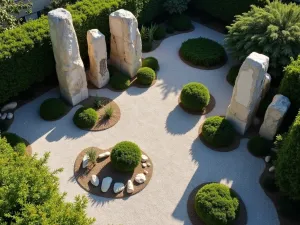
(83, 176)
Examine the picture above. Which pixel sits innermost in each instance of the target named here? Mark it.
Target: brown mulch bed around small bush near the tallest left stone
(102, 123)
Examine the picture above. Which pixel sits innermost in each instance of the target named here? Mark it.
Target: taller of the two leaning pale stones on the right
(248, 91)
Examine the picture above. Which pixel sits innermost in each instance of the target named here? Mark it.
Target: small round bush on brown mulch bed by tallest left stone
(85, 117)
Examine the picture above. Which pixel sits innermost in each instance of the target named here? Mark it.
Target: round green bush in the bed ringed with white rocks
(125, 156)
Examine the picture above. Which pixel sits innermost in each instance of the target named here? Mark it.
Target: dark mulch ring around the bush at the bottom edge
(195, 219)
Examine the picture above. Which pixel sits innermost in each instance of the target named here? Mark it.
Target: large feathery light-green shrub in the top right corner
(272, 30)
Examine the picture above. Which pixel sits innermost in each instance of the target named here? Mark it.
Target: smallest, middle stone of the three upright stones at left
(98, 73)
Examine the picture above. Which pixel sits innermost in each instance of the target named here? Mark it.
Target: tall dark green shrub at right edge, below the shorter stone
(288, 162)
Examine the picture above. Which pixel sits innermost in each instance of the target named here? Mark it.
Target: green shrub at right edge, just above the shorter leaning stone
(290, 84)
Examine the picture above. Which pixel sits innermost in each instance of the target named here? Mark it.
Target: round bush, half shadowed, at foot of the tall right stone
(218, 132)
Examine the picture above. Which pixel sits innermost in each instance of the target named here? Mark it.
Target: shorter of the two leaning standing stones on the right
(274, 116)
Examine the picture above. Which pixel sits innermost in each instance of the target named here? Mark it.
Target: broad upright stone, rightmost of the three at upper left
(126, 45)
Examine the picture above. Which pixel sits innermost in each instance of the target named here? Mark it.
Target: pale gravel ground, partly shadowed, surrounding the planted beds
(152, 119)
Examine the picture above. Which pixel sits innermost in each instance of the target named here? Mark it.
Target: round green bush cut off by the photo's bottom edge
(216, 204)
